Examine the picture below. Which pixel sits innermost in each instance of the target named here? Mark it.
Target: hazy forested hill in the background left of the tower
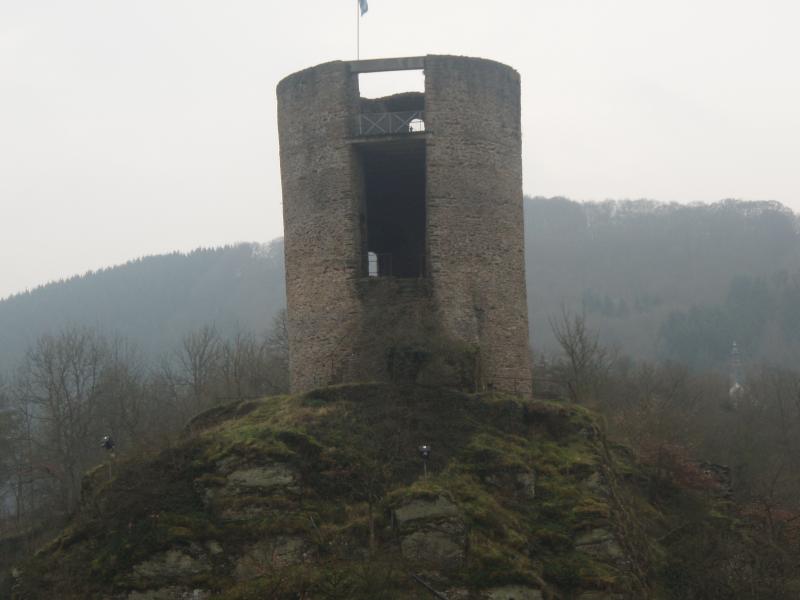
(154, 301)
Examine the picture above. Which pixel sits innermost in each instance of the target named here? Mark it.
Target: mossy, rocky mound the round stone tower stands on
(323, 496)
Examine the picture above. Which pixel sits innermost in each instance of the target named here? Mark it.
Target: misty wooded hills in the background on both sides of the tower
(658, 280)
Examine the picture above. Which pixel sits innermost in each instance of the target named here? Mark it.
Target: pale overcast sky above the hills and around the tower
(133, 127)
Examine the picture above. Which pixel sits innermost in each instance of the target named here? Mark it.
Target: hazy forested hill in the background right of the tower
(667, 280)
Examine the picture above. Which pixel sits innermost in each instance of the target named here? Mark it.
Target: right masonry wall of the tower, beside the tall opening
(475, 221)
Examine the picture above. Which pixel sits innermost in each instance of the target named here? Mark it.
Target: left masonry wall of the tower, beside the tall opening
(321, 219)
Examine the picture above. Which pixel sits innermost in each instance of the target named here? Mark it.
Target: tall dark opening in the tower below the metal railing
(393, 208)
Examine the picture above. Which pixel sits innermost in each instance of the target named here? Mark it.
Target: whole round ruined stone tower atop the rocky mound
(403, 226)
